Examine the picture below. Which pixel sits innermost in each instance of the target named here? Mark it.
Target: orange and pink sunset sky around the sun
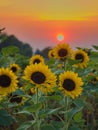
(38, 22)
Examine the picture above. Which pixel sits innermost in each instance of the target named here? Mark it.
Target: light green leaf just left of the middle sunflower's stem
(33, 108)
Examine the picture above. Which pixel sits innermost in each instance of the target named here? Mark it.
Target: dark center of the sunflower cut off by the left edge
(5, 81)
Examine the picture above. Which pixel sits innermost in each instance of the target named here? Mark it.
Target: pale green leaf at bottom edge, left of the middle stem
(26, 125)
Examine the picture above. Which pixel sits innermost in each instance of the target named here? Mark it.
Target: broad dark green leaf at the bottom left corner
(5, 118)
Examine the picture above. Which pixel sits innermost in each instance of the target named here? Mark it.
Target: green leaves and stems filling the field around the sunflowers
(50, 111)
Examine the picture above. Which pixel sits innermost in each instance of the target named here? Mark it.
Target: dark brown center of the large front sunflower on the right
(69, 85)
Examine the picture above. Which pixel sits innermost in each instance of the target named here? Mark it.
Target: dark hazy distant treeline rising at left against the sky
(25, 48)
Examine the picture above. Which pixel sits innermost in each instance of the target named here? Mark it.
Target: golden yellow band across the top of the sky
(50, 10)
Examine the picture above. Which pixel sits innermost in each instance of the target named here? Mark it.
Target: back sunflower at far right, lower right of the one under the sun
(82, 56)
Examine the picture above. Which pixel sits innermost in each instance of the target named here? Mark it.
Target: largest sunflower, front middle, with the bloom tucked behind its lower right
(41, 76)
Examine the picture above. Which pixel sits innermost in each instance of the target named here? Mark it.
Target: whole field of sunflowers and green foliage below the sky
(58, 93)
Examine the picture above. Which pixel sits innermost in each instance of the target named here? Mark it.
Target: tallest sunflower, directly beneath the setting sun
(62, 51)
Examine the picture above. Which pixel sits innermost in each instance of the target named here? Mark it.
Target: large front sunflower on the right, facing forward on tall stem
(70, 84)
